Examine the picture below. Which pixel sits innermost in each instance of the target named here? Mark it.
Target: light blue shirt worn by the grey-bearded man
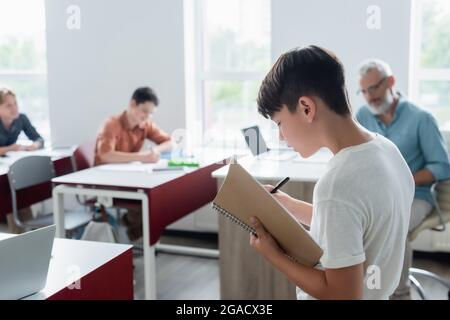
(416, 134)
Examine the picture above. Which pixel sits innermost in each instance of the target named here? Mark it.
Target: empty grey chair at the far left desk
(33, 171)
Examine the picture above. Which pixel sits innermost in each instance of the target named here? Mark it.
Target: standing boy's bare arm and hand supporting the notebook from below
(343, 283)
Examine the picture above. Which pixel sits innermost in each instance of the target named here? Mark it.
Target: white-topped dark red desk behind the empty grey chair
(28, 196)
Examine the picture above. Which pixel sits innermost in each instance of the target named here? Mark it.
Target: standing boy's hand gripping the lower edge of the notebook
(263, 241)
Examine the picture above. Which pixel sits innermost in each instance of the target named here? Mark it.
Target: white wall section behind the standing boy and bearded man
(341, 27)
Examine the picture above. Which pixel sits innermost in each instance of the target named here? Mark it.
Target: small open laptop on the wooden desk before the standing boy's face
(259, 148)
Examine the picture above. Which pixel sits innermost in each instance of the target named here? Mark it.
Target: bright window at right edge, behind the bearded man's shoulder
(431, 84)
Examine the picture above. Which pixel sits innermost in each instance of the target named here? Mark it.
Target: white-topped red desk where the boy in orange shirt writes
(166, 196)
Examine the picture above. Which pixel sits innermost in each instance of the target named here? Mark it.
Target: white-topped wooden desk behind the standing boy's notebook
(245, 274)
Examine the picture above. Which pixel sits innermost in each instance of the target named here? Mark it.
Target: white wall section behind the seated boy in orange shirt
(121, 45)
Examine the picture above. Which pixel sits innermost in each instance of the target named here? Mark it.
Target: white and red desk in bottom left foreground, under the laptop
(102, 270)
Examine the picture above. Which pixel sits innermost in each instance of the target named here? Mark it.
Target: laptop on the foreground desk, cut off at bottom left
(24, 263)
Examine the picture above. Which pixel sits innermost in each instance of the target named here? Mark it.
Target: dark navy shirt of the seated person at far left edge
(22, 123)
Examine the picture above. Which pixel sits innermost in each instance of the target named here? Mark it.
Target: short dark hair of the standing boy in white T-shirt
(310, 71)
